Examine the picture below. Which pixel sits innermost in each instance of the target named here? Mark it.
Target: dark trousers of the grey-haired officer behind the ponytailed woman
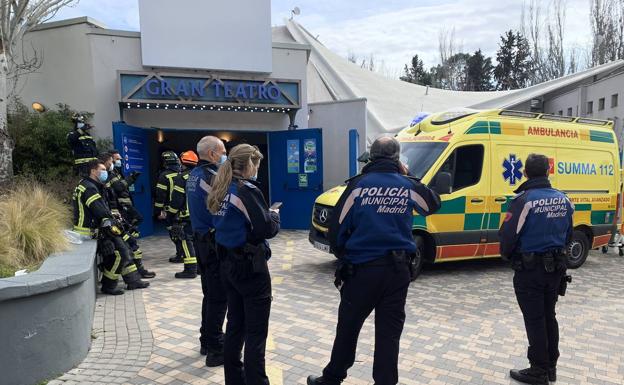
(214, 302)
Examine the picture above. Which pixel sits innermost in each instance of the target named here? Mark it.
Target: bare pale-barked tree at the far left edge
(16, 18)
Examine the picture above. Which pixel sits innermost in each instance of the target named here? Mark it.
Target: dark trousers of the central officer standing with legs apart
(379, 288)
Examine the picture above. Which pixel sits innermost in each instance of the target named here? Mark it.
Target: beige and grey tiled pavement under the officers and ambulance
(463, 325)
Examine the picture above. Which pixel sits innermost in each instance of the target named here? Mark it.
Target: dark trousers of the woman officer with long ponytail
(249, 307)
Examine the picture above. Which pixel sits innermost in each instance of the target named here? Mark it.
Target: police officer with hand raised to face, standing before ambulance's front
(371, 234)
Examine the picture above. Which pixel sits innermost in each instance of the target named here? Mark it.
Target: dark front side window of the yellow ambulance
(465, 165)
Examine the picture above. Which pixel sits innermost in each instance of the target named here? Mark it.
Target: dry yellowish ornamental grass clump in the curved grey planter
(31, 224)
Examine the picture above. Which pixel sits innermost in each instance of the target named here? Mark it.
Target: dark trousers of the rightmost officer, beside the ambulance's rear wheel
(537, 294)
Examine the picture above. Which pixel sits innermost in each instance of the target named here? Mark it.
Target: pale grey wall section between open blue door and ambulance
(336, 119)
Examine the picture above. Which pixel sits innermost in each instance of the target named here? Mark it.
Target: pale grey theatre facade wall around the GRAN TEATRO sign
(80, 69)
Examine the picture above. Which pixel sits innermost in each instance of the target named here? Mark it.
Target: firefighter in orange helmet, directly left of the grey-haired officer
(179, 218)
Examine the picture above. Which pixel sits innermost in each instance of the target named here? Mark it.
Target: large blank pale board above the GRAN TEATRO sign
(228, 35)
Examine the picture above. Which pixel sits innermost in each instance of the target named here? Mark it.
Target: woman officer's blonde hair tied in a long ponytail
(239, 160)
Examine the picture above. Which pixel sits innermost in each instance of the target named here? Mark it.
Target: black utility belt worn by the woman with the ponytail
(247, 260)
